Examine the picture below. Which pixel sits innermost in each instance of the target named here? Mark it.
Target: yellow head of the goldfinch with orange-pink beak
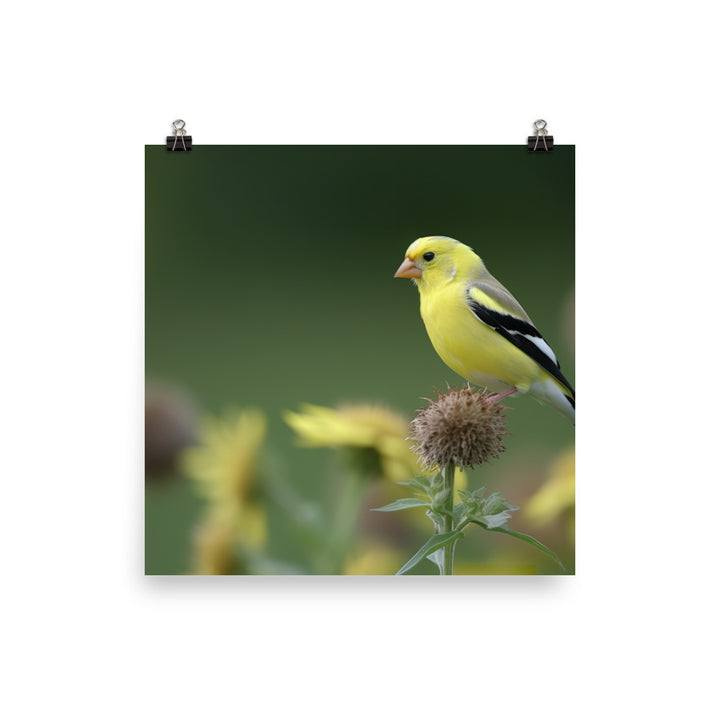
(434, 260)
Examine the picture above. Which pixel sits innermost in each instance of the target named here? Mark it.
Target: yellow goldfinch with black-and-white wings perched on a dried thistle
(478, 328)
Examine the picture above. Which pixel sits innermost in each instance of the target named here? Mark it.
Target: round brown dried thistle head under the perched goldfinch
(462, 427)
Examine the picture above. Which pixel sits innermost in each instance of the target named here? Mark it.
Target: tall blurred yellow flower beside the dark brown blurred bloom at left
(224, 468)
